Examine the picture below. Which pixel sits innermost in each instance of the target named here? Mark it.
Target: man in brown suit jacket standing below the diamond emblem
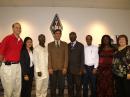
(57, 64)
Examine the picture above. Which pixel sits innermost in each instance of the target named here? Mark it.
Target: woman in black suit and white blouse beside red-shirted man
(27, 67)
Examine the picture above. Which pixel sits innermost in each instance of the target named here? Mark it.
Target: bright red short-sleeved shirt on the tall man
(10, 48)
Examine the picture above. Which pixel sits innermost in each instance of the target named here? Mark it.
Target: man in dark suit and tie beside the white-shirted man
(75, 66)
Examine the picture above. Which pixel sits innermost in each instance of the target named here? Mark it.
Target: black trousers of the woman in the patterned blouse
(122, 86)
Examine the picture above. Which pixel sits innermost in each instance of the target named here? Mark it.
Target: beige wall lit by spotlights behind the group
(83, 21)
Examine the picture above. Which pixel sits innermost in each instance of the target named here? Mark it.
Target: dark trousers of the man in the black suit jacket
(74, 85)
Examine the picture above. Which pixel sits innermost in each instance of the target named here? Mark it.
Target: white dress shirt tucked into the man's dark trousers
(91, 55)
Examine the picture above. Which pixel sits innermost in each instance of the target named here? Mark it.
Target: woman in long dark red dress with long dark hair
(105, 84)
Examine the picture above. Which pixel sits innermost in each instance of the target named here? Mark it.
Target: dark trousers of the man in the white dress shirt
(88, 77)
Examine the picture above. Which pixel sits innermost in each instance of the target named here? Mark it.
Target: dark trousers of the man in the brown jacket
(57, 81)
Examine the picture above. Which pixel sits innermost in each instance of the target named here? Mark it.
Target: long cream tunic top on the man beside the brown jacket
(41, 61)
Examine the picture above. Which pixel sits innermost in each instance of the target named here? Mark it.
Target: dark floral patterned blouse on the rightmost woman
(121, 62)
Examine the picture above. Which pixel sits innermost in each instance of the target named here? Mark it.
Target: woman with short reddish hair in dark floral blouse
(121, 67)
